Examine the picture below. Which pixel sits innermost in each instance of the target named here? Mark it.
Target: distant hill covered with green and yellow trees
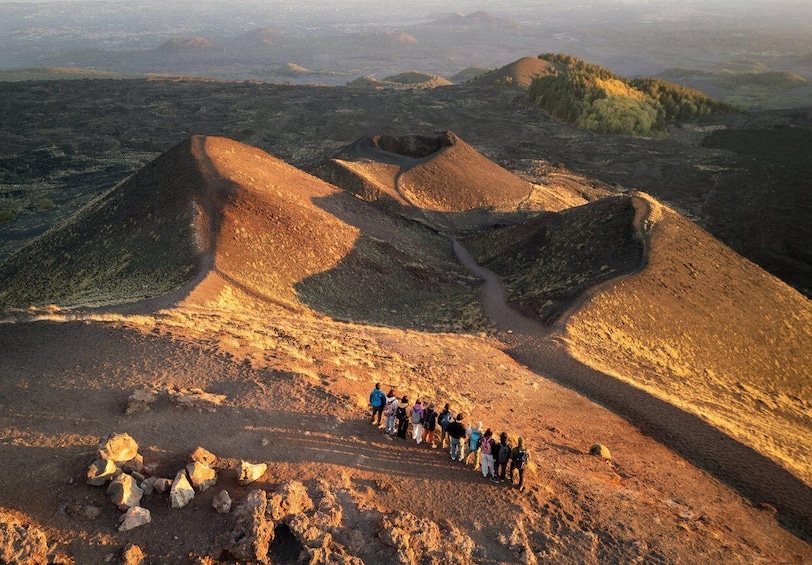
(596, 99)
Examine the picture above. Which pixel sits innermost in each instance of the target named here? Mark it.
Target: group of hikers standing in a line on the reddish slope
(495, 459)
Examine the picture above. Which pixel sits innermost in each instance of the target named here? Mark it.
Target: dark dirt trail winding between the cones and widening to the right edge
(750, 473)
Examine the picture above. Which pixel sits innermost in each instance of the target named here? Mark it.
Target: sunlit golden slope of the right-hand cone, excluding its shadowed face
(707, 330)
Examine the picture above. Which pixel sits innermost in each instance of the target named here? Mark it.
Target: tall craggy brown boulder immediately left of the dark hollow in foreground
(253, 532)
